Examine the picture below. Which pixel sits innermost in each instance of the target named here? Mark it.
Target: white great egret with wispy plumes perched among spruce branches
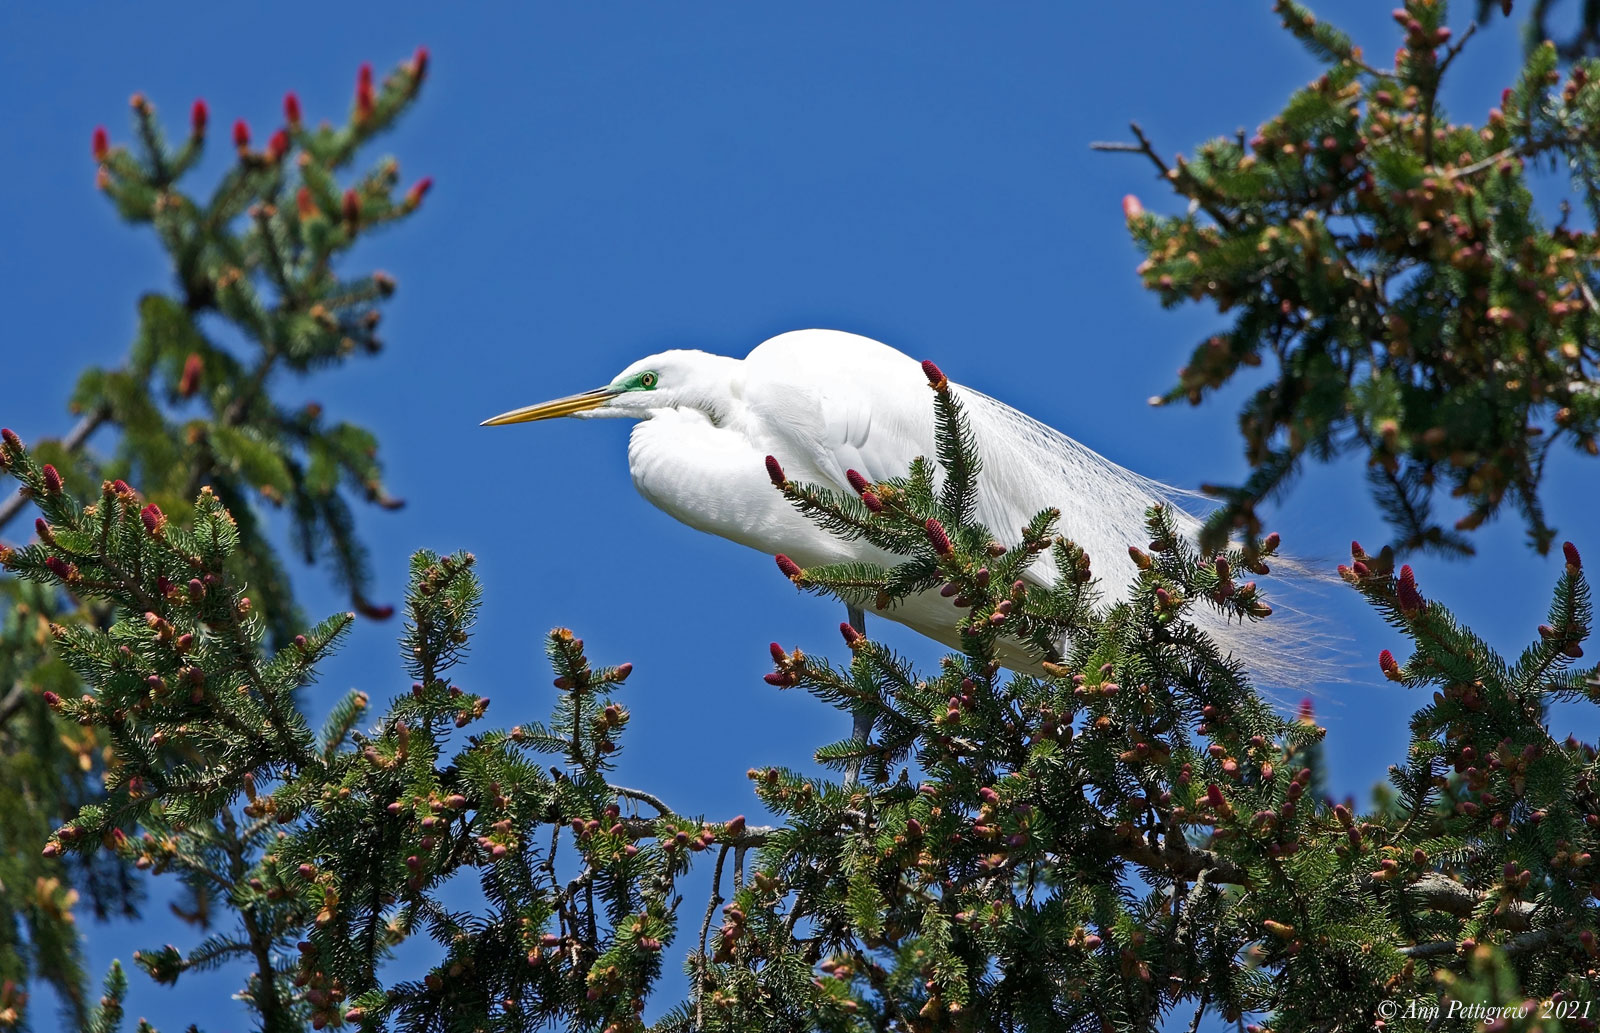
(825, 404)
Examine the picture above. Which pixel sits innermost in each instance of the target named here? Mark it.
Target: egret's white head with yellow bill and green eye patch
(676, 380)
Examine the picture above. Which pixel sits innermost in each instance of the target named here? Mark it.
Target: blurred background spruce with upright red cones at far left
(260, 257)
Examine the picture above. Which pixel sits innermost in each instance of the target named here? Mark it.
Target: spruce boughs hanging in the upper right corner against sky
(1390, 266)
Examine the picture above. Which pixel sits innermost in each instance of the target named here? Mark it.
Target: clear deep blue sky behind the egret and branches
(617, 180)
